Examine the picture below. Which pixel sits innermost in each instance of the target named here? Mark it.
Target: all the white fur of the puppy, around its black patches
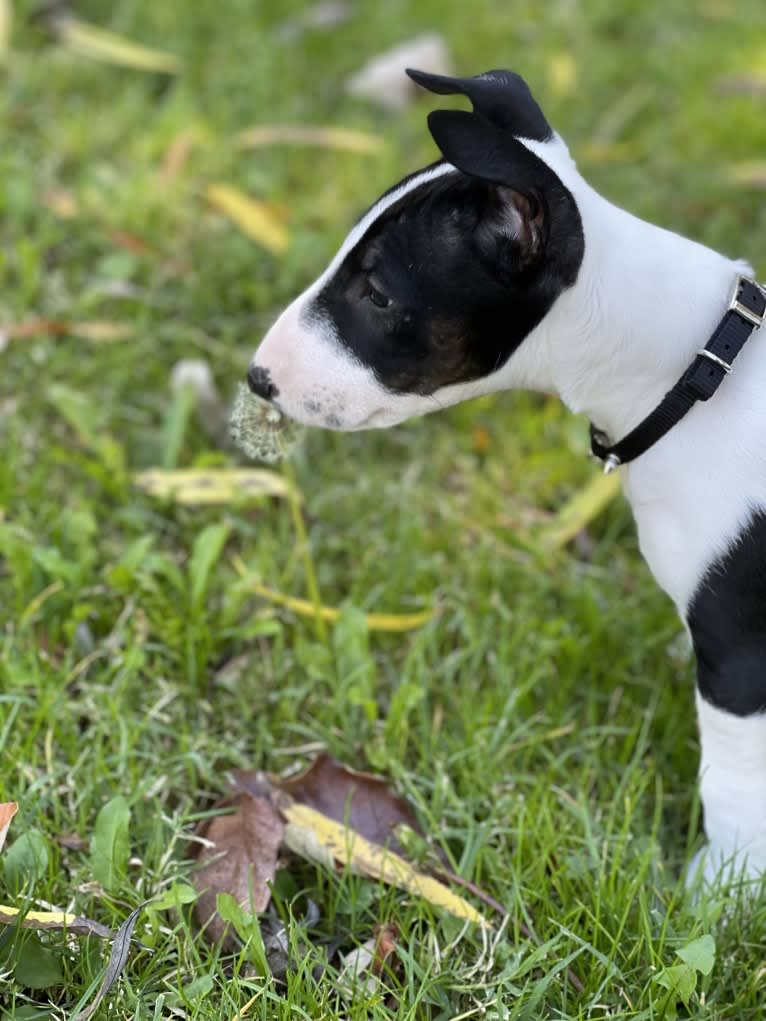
(645, 302)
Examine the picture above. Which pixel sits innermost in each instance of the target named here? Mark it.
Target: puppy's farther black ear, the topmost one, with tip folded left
(501, 96)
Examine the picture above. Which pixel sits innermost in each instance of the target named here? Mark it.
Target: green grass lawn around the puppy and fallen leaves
(114, 682)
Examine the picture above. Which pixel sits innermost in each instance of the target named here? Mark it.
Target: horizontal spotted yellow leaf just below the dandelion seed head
(211, 487)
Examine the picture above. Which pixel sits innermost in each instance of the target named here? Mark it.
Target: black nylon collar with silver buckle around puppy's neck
(747, 312)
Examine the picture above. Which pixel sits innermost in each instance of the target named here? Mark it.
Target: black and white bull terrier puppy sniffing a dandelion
(498, 268)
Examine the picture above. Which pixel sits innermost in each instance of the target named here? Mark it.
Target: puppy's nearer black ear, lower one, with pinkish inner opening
(517, 210)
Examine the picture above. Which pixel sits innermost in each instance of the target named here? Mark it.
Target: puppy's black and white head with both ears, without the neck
(442, 281)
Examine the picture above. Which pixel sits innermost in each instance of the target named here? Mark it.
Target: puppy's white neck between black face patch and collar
(645, 302)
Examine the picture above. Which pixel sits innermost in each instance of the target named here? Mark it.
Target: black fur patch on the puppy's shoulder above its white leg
(728, 620)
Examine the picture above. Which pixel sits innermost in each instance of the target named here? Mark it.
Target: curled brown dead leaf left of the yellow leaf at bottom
(240, 858)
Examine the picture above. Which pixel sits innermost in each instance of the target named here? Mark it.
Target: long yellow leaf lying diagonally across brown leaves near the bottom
(351, 848)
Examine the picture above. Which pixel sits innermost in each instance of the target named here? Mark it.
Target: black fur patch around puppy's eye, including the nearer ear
(450, 280)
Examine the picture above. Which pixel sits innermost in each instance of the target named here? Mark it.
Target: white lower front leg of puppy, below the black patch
(733, 772)
